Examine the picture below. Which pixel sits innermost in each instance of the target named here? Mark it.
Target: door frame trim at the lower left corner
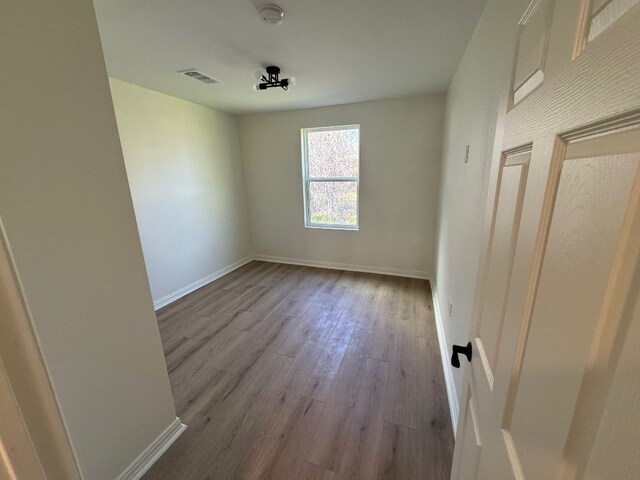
(36, 419)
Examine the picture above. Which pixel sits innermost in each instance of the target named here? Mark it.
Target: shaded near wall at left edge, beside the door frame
(70, 225)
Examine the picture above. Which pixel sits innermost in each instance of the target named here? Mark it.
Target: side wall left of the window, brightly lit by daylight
(185, 173)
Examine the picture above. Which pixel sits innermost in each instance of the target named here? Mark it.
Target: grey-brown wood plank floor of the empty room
(286, 372)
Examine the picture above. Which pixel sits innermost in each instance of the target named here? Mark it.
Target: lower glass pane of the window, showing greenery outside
(333, 203)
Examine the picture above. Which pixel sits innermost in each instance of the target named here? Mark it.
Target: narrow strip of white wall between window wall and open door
(476, 103)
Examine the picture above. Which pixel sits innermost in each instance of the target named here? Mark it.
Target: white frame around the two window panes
(306, 179)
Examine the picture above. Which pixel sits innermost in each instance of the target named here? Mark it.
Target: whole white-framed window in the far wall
(330, 176)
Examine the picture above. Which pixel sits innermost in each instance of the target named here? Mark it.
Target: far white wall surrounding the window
(400, 142)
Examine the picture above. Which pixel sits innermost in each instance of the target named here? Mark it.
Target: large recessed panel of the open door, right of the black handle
(592, 199)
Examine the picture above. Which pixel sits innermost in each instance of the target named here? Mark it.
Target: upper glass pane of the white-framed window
(333, 153)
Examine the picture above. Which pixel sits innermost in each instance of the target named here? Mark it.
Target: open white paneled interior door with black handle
(554, 383)
